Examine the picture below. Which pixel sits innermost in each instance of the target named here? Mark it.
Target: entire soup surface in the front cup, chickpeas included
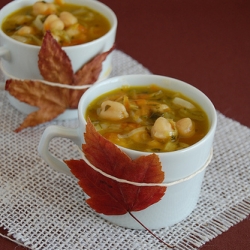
(148, 119)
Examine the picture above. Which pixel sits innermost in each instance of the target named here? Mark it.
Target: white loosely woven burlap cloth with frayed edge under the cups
(43, 209)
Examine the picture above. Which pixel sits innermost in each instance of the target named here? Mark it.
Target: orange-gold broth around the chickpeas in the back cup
(90, 25)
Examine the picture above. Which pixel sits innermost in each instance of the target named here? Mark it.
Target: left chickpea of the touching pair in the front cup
(163, 130)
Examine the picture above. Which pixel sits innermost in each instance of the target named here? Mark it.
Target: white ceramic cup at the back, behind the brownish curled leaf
(20, 60)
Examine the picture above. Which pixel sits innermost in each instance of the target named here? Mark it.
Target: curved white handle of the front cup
(43, 147)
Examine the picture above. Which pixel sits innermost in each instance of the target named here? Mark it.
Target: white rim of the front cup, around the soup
(213, 120)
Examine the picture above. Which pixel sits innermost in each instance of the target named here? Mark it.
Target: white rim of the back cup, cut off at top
(91, 2)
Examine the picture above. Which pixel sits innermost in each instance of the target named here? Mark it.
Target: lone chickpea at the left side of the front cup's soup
(112, 110)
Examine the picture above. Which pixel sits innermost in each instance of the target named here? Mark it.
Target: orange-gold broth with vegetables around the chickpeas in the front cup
(142, 104)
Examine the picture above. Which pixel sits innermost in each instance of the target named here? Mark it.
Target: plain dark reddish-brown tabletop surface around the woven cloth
(205, 43)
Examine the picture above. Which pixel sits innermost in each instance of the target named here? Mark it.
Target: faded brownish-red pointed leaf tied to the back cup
(54, 66)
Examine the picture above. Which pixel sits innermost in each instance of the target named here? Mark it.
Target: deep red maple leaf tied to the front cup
(109, 196)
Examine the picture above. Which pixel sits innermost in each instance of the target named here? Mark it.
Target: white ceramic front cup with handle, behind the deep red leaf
(184, 169)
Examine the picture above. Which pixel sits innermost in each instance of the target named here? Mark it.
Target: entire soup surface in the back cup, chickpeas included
(69, 24)
